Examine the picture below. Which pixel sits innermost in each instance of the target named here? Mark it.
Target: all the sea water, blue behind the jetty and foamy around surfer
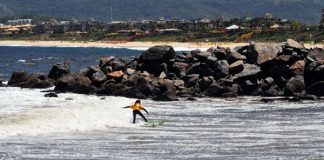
(75, 126)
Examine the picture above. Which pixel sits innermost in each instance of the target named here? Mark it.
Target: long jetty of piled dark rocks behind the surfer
(286, 69)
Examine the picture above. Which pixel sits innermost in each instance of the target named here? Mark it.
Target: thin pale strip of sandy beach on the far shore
(132, 45)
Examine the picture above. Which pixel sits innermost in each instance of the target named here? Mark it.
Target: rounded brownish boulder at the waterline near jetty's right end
(295, 85)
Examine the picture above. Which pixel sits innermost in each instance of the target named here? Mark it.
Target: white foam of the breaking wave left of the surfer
(28, 112)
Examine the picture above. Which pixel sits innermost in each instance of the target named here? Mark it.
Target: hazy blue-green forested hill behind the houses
(307, 11)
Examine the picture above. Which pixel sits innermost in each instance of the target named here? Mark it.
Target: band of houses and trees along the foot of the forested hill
(144, 27)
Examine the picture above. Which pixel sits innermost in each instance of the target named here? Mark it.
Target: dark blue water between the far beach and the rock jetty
(41, 59)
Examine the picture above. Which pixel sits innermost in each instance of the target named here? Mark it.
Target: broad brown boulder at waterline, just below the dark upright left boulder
(76, 83)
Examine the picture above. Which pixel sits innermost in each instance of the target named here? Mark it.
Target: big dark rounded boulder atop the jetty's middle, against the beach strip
(158, 54)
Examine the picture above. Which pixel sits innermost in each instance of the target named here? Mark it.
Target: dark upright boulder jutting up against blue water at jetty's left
(59, 70)
